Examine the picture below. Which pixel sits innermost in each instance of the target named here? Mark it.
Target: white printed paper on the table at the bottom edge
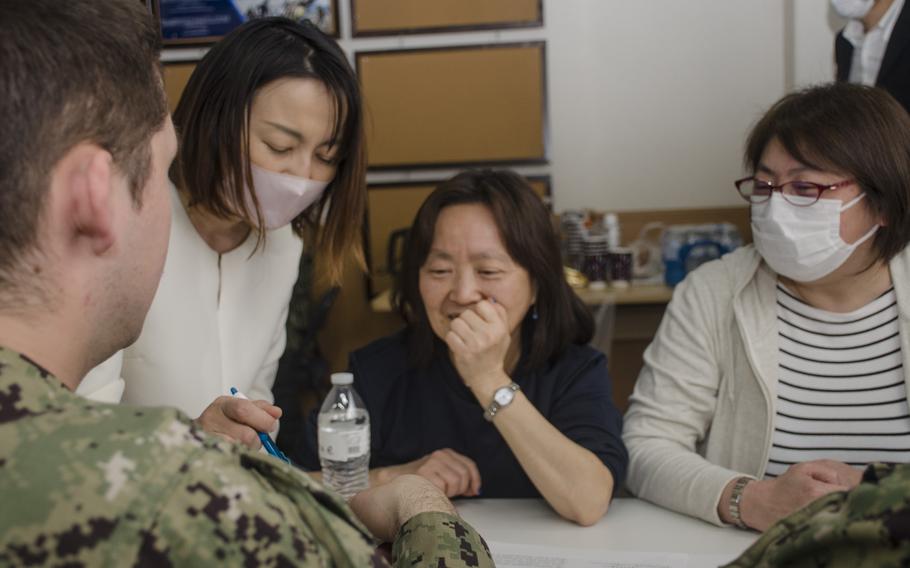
(522, 556)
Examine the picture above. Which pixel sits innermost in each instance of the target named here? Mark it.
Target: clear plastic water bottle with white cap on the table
(344, 438)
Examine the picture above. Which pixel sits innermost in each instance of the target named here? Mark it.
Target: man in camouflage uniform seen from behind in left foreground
(84, 218)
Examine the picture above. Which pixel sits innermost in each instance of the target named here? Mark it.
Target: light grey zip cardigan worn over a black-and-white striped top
(703, 407)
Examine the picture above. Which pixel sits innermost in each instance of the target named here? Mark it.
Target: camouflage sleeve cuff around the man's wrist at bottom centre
(439, 539)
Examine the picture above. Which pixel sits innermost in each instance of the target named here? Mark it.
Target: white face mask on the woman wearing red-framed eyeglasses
(803, 243)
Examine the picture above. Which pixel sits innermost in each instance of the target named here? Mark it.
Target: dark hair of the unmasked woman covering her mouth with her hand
(529, 237)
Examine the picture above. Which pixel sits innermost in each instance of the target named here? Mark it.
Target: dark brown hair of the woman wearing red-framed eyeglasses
(861, 132)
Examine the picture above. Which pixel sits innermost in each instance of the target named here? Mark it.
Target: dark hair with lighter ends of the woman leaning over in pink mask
(212, 120)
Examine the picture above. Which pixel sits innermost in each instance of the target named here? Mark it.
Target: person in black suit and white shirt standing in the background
(894, 72)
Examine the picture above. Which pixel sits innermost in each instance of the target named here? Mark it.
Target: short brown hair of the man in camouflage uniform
(70, 72)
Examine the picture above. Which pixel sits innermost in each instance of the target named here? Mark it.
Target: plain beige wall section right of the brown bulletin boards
(651, 99)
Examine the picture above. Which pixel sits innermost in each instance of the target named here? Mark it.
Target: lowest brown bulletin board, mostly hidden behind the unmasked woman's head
(392, 207)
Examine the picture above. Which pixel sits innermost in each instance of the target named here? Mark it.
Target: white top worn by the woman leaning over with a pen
(217, 321)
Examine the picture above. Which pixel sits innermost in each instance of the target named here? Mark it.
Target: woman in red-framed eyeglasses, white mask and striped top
(780, 370)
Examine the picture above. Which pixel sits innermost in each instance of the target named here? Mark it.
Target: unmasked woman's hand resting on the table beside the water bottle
(454, 474)
